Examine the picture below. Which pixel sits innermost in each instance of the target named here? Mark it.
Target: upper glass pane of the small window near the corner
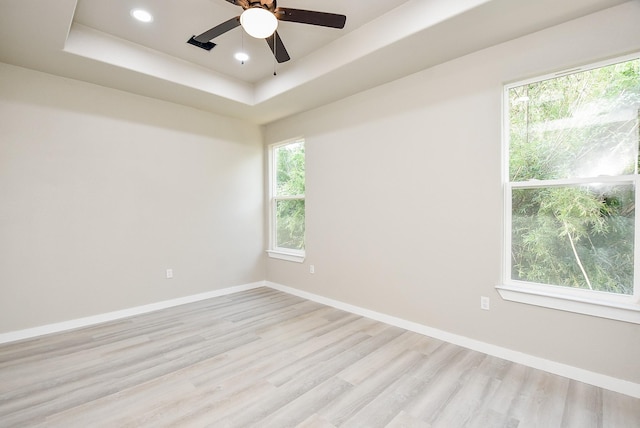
(290, 169)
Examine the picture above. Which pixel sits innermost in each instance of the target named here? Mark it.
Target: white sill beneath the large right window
(627, 312)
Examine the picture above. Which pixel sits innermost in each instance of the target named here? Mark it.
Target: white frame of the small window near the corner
(275, 251)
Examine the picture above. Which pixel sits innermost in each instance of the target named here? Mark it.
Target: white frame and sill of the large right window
(595, 303)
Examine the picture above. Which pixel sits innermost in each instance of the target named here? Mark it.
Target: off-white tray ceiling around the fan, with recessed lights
(98, 41)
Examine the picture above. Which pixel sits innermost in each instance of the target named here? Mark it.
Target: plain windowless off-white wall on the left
(101, 191)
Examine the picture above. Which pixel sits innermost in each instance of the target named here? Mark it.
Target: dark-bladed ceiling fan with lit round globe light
(257, 14)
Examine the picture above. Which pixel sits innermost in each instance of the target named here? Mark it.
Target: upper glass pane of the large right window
(578, 125)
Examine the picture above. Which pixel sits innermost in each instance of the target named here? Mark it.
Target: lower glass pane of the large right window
(574, 236)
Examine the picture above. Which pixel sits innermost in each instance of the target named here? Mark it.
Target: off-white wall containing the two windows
(404, 199)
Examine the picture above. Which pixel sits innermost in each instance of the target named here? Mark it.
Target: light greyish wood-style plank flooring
(264, 358)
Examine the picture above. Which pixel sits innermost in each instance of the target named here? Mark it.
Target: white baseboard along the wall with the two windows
(575, 373)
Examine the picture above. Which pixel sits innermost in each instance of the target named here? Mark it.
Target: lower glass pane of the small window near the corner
(290, 224)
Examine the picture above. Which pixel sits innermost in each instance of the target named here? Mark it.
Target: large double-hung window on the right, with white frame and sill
(571, 183)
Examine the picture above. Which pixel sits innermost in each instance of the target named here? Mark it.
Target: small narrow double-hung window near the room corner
(287, 205)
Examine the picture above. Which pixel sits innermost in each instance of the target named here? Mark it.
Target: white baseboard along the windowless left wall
(124, 313)
